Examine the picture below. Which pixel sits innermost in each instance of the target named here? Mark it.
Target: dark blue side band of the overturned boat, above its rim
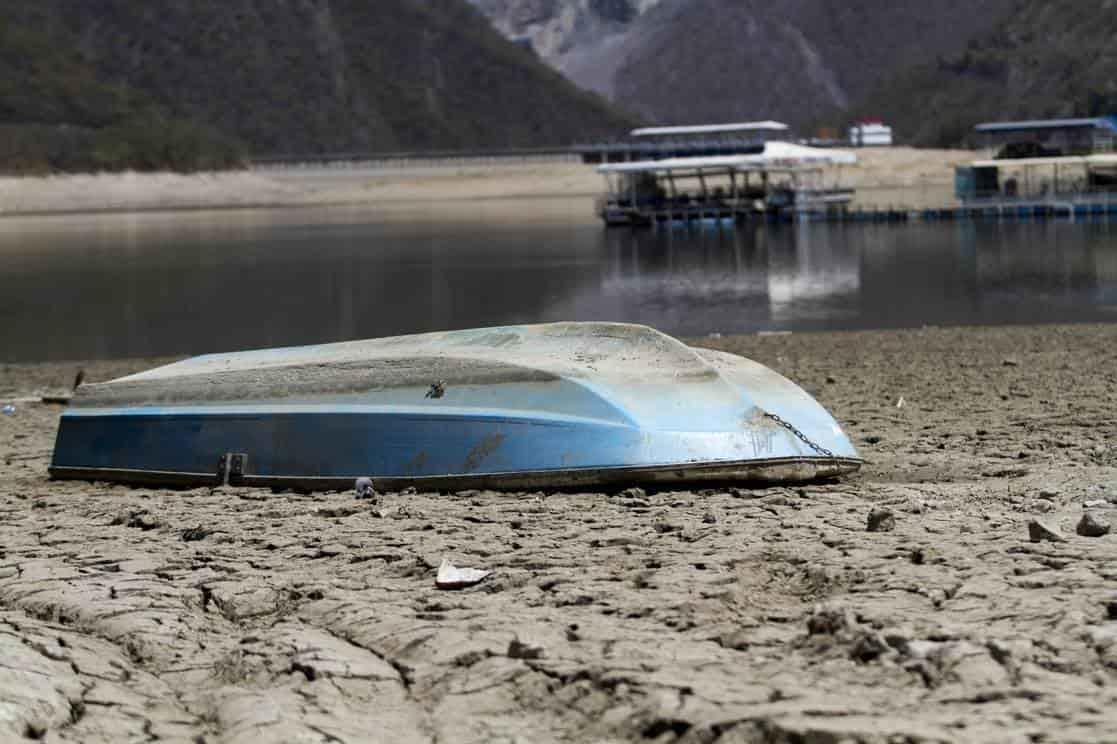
(332, 444)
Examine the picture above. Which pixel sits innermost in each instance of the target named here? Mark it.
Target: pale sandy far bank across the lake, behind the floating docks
(886, 177)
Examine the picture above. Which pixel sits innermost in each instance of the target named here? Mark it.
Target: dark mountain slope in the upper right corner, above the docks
(1049, 59)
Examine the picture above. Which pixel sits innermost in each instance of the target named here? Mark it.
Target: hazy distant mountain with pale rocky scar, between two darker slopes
(703, 61)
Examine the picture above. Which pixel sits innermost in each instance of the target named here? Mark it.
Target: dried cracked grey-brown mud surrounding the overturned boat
(725, 616)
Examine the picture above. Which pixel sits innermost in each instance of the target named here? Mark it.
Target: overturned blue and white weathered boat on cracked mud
(521, 407)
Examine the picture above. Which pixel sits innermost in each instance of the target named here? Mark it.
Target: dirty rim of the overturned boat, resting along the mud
(776, 471)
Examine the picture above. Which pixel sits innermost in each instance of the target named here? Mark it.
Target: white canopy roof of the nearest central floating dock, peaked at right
(777, 156)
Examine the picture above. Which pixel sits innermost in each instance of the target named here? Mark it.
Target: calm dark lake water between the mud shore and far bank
(155, 284)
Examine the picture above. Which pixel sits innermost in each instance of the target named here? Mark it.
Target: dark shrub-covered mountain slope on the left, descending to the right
(292, 78)
